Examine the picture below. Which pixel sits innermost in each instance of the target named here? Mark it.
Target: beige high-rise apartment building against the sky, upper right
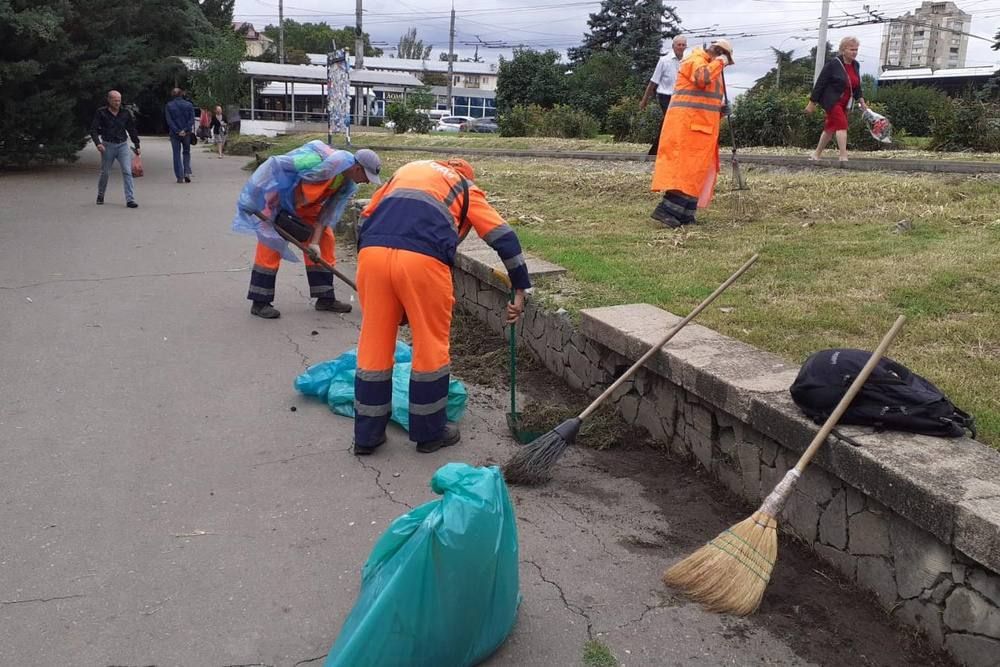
(929, 37)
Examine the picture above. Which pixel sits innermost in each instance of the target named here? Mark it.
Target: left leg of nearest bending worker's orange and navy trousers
(381, 312)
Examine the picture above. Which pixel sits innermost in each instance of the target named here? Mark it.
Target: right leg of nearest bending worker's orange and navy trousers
(425, 290)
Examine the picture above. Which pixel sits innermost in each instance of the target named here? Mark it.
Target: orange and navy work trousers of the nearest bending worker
(391, 282)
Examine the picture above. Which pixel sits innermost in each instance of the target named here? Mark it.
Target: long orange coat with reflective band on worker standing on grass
(688, 155)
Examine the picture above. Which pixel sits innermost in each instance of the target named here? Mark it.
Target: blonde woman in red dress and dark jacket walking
(836, 89)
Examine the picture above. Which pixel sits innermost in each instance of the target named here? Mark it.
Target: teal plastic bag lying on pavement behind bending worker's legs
(333, 381)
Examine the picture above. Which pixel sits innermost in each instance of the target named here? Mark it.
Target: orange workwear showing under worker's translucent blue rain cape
(309, 200)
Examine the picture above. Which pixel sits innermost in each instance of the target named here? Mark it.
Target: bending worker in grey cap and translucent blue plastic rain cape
(319, 182)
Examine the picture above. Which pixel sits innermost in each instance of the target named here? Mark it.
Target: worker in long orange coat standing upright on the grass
(687, 161)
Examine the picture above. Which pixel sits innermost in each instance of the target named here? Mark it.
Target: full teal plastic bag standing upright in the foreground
(440, 588)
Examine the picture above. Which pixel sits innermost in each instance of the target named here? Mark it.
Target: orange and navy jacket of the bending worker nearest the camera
(420, 209)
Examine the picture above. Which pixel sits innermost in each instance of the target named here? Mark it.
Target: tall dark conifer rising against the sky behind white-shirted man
(633, 27)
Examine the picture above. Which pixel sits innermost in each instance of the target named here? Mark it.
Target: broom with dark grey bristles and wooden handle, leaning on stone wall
(533, 462)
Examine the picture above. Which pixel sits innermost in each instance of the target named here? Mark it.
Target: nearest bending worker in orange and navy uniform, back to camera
(406, 246)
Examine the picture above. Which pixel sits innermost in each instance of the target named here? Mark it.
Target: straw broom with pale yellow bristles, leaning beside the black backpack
(730, 573)
